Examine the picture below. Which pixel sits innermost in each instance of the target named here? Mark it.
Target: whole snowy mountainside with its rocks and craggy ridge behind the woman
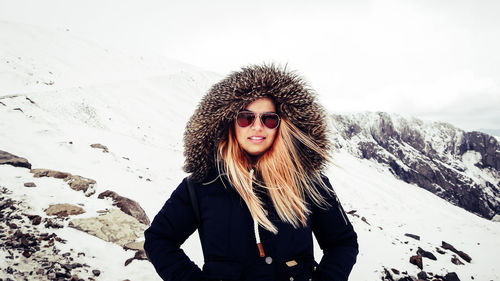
(103, 121)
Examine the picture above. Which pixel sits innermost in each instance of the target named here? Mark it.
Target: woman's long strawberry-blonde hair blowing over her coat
(282, 168)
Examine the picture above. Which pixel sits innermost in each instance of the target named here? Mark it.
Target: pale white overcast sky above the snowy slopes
(437, 60)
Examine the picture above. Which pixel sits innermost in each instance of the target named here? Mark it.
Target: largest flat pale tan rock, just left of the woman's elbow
(116, 227)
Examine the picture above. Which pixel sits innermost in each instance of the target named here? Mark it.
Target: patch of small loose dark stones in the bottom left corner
(30, 252)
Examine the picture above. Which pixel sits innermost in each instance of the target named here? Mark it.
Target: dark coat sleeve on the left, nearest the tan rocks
(170, 228)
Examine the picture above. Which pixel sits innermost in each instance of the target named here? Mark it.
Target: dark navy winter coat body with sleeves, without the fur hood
(229, 245)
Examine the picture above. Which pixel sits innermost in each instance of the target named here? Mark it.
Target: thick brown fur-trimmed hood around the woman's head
(218, 108)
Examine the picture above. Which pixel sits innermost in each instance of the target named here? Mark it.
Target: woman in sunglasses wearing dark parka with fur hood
(255, 148)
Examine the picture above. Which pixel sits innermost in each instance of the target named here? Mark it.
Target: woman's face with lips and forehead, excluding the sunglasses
(256, 138)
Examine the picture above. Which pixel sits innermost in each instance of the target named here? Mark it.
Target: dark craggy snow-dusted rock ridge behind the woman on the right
(434, 156)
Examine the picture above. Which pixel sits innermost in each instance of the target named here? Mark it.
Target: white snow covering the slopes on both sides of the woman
(138, 108)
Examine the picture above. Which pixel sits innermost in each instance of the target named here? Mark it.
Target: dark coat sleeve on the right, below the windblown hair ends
(337, 239)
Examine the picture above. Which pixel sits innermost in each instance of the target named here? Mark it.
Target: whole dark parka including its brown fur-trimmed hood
(226, 226)
